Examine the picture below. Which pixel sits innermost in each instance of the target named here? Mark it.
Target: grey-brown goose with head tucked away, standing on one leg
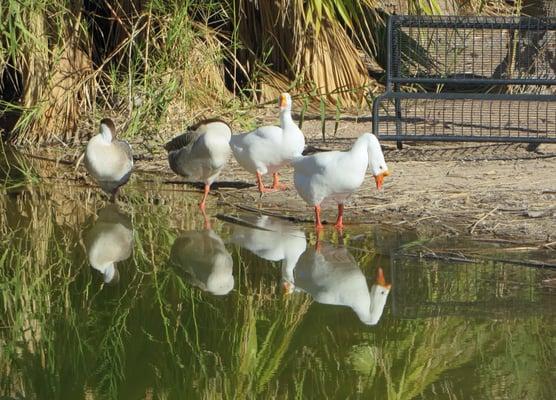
(201, 152)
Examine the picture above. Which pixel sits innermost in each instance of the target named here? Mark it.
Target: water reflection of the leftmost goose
(109, 241)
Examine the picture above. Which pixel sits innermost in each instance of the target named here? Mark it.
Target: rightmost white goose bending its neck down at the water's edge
(337, 174)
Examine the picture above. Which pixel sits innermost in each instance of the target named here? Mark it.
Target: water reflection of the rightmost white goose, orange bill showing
(331, 275)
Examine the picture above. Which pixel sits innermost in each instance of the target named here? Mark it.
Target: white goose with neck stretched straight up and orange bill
(268, 148)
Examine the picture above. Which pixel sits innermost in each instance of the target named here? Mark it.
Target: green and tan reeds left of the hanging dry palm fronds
(64, 63)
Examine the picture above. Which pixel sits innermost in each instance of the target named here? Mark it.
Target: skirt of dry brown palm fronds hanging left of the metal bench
(306, 51)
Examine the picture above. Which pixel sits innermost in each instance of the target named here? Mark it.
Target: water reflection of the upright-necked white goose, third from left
(277, 240)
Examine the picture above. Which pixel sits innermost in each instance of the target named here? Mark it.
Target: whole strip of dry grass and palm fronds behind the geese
(160, 64)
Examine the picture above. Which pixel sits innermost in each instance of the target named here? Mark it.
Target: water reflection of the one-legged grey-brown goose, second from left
(205, 261)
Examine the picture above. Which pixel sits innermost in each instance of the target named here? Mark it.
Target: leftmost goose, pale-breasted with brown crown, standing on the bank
(109, 160)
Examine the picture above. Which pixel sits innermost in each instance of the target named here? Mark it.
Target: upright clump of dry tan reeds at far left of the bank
(54, 70)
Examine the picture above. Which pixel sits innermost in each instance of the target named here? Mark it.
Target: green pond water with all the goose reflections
(143, 301)
